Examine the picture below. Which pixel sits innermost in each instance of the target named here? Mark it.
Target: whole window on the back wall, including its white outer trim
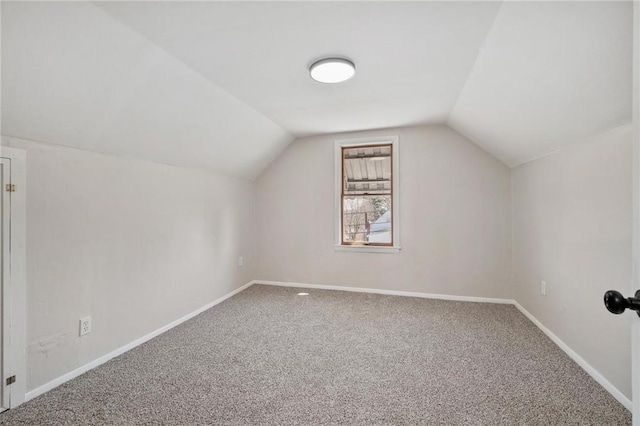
(367, 195)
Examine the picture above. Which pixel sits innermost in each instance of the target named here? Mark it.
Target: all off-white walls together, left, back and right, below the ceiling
(137, 244)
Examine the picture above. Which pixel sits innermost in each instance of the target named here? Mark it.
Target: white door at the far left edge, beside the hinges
(5, 270)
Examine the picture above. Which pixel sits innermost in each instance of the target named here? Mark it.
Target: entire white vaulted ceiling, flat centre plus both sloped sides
(224, 85)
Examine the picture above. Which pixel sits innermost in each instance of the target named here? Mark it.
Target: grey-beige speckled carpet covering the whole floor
(270, 357)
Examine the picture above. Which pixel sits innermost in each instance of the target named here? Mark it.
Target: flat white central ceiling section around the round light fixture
(412, 58)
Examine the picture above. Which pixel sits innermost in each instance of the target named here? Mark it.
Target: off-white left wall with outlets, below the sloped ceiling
(134, 244)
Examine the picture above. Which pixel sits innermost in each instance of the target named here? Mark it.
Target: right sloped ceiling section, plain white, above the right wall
(549, 74)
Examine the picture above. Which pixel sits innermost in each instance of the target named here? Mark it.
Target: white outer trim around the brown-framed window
(395, 203)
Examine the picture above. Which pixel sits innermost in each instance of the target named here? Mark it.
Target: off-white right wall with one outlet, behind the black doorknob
(572, 229)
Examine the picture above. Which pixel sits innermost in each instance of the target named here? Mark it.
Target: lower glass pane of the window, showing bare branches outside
(366, 219)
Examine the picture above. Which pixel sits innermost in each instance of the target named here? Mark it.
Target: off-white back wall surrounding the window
(455, 203)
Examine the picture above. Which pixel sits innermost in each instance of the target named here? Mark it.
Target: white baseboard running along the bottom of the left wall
(95, 363)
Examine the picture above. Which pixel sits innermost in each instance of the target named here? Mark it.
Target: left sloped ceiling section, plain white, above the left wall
(72, 75)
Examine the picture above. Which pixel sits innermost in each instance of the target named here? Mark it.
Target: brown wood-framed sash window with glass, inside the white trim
(366, 197)
